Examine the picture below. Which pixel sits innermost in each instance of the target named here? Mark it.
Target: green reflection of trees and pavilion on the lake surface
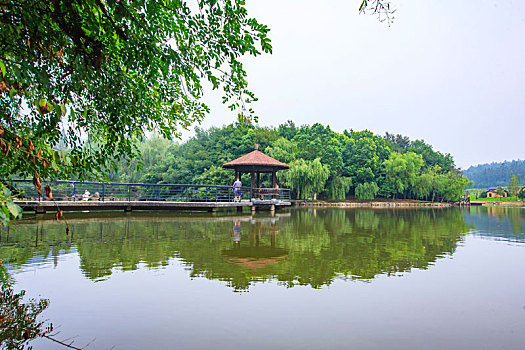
(313, 247)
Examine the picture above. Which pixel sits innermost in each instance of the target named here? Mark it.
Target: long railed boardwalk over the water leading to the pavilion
(95, 196)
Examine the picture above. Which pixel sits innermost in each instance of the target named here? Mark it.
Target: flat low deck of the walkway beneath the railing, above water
(43, 206)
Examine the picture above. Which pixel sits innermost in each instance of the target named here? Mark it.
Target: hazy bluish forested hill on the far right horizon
(495, 174)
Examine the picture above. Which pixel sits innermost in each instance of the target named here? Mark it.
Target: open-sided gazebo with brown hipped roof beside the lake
(256, 163)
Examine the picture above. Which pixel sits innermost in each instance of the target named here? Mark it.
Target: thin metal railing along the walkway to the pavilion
(100, 191)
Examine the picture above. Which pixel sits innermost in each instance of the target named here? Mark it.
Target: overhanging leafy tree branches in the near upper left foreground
(94, 77)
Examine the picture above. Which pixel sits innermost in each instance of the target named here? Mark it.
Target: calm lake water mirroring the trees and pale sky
(303, 279)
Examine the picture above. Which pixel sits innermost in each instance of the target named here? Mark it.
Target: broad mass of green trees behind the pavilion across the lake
(324, 164)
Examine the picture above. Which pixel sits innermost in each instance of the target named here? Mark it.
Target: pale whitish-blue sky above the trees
(449, 72)
